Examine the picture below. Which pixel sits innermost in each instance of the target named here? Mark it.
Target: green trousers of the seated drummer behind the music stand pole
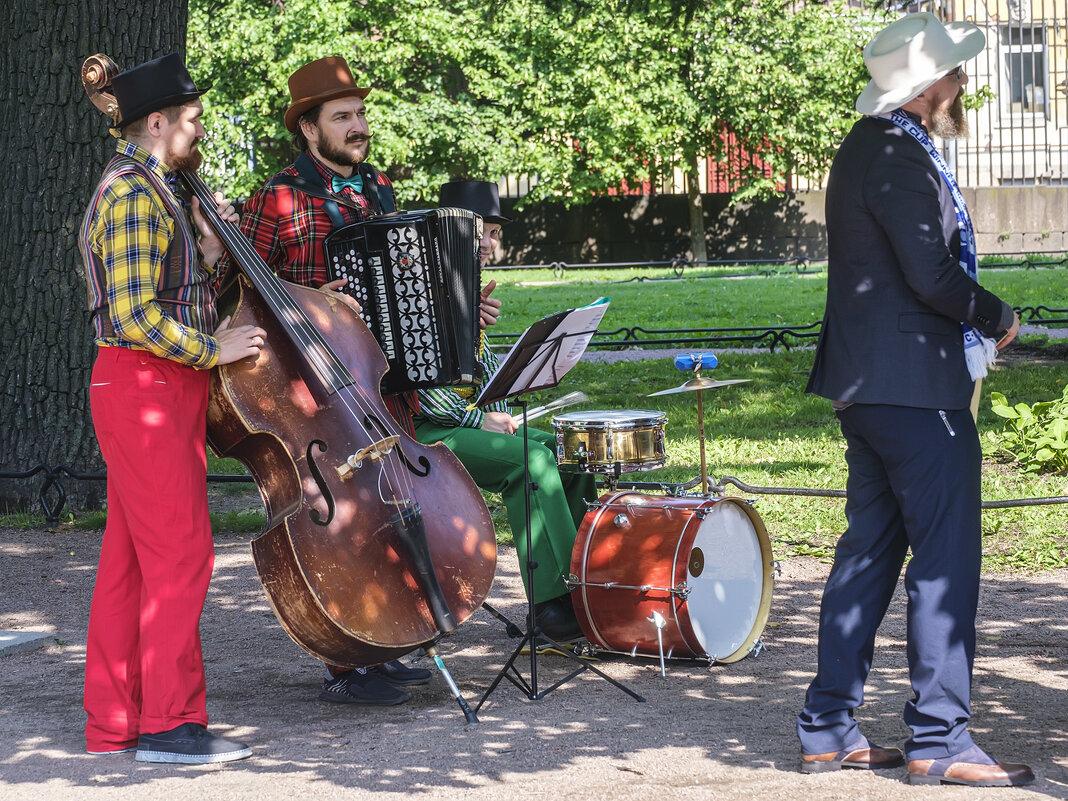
(496, 463)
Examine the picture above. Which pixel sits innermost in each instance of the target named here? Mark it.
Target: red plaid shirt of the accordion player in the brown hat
(288, 228)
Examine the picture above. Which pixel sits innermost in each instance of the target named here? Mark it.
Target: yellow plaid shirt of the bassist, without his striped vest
(130, 231)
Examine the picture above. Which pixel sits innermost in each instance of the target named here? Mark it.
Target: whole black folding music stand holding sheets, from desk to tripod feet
(540, 360)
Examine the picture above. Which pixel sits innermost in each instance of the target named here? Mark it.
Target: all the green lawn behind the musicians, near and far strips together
(768, 433)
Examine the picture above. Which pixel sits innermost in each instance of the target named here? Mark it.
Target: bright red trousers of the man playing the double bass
(144, 667)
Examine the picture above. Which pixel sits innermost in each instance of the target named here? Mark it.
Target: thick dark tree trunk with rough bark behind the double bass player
(56, 145)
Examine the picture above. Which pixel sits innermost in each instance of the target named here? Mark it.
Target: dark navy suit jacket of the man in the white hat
(897, 294)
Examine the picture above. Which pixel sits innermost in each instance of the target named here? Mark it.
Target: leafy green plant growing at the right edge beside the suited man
(1034, 436)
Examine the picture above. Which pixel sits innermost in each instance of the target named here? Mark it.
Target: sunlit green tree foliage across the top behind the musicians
(579, 97)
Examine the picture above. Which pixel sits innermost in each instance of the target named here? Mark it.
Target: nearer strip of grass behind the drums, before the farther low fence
(771, 434)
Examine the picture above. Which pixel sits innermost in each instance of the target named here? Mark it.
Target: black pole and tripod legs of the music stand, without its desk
(533, 637)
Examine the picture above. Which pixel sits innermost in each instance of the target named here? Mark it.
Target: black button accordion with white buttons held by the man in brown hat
(418, 276)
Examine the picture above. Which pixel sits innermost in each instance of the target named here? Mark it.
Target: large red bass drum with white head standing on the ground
(704, 566)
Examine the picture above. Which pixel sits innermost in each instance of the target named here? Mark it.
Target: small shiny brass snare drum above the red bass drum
(595, 442)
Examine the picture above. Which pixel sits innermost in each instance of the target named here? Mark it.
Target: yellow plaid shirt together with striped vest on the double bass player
(127, 239)
